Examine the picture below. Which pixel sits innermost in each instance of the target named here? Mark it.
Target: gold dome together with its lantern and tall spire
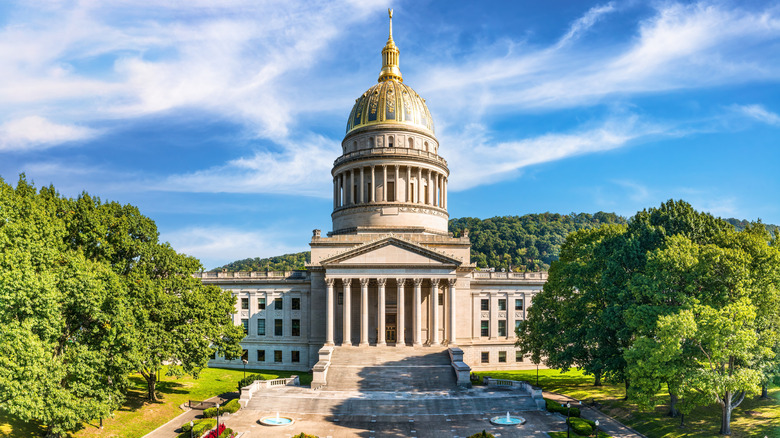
(390, 101)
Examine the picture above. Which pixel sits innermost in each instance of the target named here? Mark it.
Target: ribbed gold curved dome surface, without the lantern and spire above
(390, 101)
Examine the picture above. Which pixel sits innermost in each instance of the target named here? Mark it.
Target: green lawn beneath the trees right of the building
(753, 418)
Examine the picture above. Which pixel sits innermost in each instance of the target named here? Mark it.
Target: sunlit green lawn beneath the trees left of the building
(138, 417)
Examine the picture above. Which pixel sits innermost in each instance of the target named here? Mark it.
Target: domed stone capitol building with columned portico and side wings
(389, 274)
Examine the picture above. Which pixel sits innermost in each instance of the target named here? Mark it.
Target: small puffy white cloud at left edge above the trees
(35, 132)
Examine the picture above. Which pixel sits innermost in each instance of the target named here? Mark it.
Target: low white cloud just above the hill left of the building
(216, 246)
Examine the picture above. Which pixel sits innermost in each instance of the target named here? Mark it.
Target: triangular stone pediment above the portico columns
(391, 251)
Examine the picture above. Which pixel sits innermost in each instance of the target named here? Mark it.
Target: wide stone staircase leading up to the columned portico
(404, 369)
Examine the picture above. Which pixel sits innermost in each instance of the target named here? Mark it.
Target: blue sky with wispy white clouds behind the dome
(221, 120)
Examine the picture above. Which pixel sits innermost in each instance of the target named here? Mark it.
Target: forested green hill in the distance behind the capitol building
(530, 242)
